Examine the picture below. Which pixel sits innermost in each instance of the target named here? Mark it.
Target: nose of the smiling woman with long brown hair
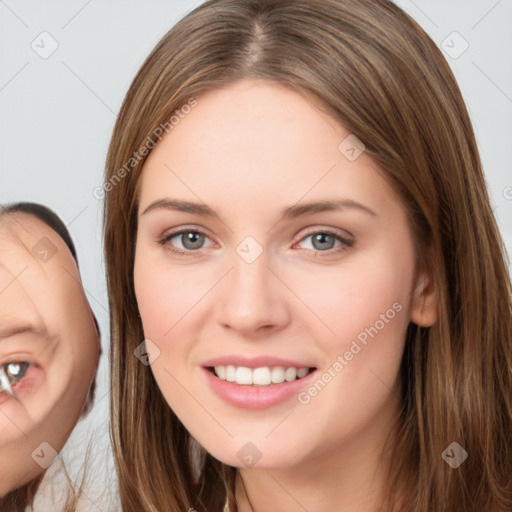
(252, 300)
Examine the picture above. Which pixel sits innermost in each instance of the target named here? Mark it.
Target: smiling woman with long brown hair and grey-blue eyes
(274, 372)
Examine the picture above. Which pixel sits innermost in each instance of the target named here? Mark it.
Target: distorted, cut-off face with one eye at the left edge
(48, 347)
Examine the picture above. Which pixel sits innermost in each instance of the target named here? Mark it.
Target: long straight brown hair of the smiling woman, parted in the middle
(379, 74)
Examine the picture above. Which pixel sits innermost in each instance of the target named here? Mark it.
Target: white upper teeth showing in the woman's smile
(263, 376)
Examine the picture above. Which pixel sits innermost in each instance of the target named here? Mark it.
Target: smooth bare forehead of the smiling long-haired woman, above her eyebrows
(252, 140)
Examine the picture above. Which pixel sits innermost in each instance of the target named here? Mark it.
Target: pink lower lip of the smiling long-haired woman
(256, 397)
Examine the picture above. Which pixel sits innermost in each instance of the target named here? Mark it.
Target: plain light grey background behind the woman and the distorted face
(58, 112)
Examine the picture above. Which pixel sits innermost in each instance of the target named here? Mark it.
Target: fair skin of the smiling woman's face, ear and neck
(247, 151)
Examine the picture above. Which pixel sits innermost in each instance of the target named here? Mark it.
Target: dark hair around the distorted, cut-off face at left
(24, 496)
